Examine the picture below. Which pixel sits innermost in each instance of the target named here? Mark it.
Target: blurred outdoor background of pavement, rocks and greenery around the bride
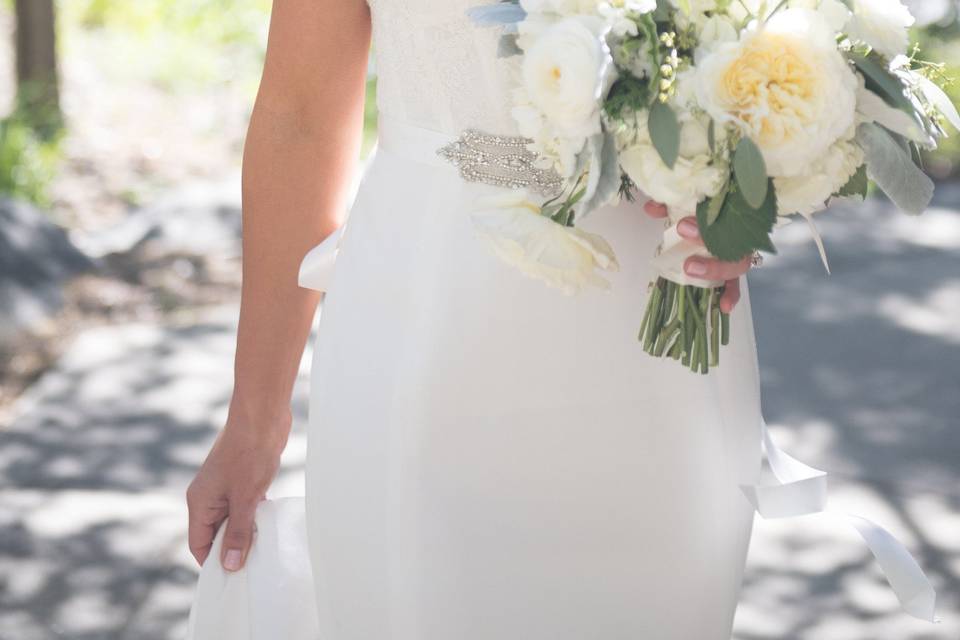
(120, 139)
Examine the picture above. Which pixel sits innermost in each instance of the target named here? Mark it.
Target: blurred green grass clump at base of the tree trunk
(28, 162)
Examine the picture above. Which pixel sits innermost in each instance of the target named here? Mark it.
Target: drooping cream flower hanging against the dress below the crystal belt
(564, 257)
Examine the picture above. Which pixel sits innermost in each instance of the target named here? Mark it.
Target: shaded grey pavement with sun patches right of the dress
(860, 372)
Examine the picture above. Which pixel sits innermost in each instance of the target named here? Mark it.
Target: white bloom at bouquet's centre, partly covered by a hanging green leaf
(695, 175)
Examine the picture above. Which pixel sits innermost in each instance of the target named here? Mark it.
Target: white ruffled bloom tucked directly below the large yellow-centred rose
(809, 193)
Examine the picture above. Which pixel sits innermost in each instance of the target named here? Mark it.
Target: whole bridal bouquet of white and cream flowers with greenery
(742, 112)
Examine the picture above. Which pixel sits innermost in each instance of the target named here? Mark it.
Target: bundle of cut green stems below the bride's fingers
(684, 322)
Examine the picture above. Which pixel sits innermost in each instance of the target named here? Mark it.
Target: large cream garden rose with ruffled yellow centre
(784, 84)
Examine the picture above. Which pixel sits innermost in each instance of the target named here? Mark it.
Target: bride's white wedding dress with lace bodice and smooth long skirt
(488, 458)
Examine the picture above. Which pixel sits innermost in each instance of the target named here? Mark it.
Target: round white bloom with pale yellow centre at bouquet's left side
(566, 72)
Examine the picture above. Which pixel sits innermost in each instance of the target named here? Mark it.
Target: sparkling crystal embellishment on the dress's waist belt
(500, 161)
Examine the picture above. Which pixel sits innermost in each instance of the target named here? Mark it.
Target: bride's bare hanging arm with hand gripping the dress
(300, 153)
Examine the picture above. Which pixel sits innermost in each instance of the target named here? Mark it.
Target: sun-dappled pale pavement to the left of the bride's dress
(96, 461)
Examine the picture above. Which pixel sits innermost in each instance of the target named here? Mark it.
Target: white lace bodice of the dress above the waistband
(438, 70)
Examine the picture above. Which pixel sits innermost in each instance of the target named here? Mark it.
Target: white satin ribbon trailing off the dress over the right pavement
(801, 489)
